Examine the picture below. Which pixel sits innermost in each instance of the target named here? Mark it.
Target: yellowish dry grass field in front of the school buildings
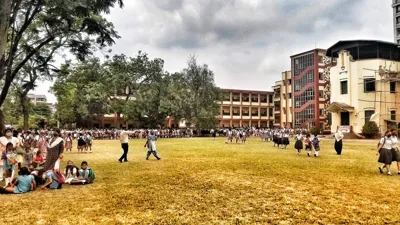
(201, 181)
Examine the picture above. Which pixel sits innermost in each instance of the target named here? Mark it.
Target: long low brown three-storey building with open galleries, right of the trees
(244, 108)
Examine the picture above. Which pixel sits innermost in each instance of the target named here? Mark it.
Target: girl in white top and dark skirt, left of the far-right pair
(385, 153)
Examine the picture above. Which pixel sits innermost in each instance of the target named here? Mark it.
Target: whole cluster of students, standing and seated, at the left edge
(43, 168)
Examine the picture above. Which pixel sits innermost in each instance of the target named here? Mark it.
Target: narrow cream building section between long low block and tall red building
(283, 101)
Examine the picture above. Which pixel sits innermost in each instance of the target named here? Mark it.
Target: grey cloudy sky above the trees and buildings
(247, 43)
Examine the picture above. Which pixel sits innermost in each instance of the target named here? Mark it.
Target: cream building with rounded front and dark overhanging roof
(364, 78)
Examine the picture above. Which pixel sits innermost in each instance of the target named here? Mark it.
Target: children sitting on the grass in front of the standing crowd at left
(29, 179)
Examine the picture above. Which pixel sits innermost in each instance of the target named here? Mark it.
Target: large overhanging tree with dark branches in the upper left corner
(29, 28)
